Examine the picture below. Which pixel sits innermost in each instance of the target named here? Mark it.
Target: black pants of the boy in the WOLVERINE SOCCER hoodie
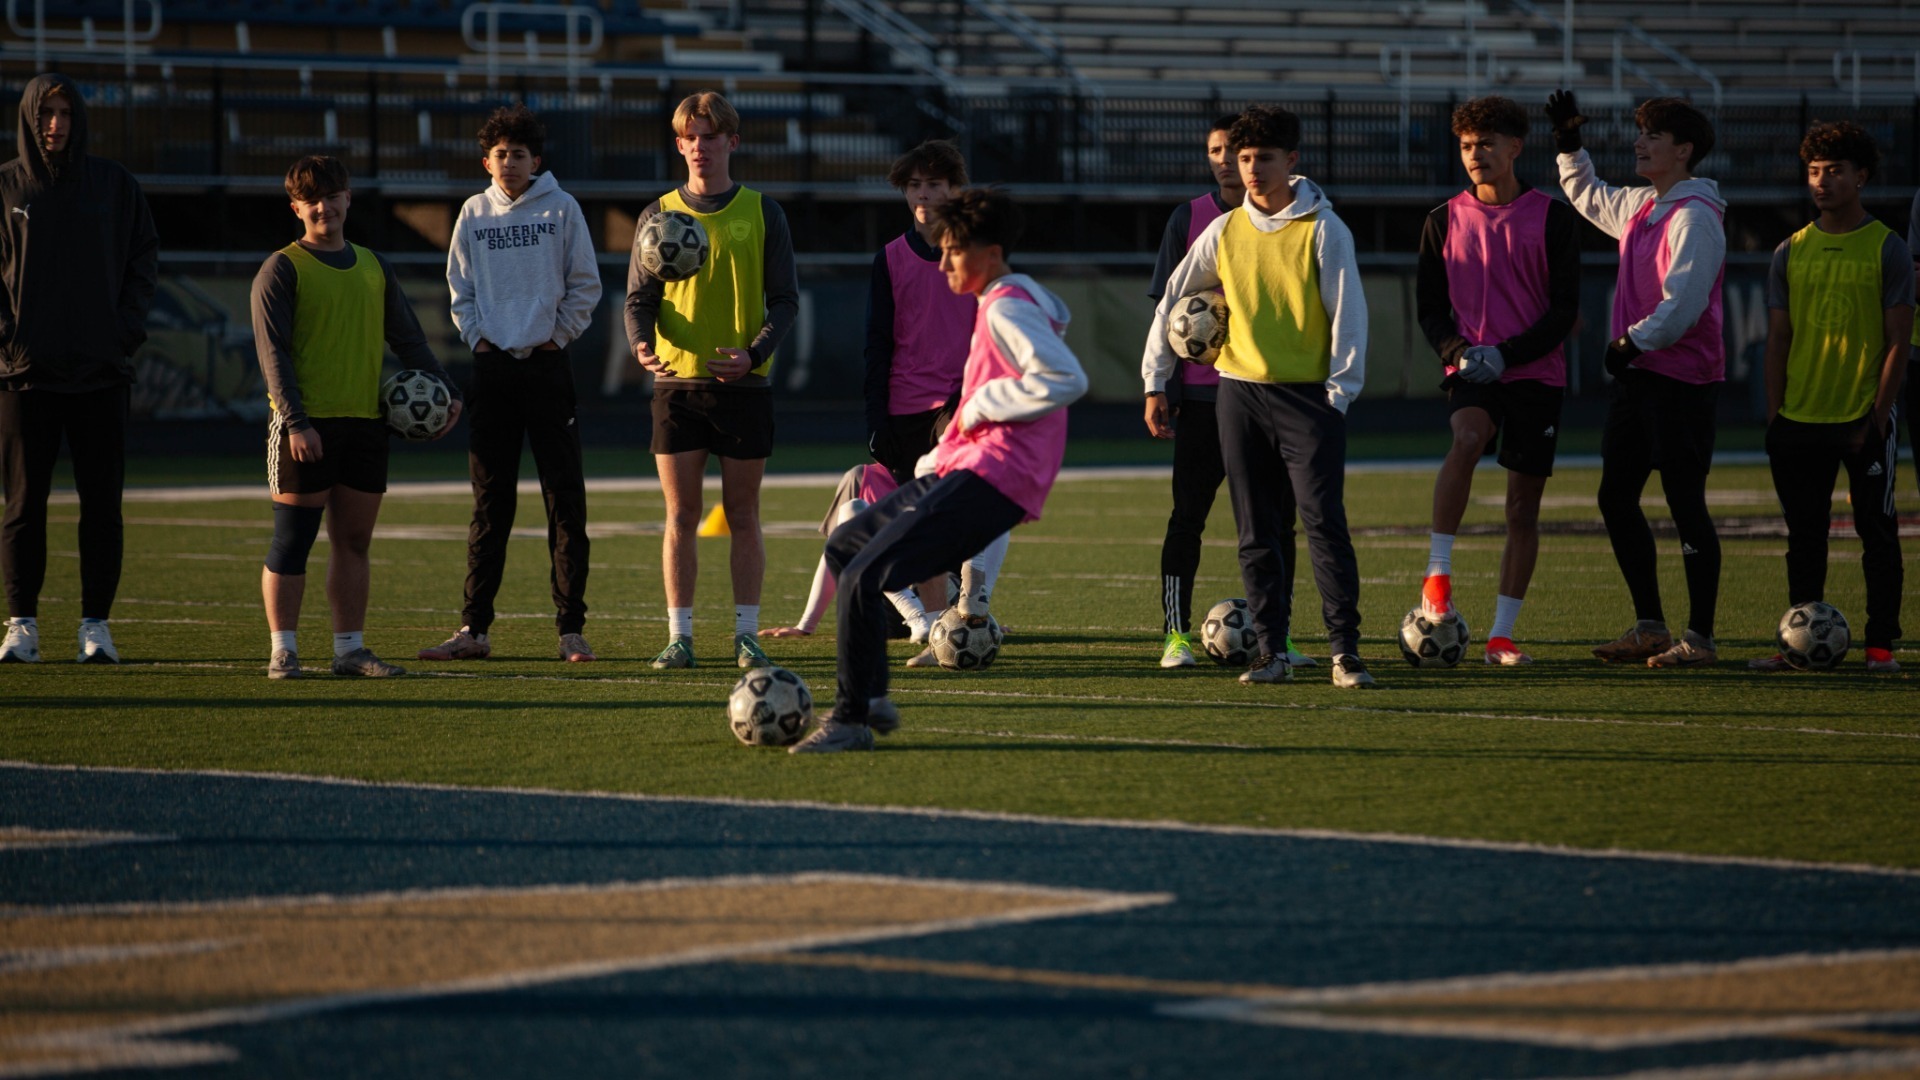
(508, 403)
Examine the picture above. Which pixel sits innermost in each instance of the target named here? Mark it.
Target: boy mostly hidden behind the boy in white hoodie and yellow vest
(1184, 412)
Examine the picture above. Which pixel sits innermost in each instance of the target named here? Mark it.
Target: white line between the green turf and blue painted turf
(1009, 818)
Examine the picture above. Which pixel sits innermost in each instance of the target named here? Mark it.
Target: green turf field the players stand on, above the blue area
(1074, 720)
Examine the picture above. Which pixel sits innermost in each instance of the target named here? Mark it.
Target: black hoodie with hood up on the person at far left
(78, 260)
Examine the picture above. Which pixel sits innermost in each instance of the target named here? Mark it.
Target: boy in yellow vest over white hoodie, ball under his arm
(1289, 372)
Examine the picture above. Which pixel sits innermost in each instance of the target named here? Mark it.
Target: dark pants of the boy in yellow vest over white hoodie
(1285, 453)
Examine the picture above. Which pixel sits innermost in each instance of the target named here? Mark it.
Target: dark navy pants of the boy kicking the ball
(930, 524)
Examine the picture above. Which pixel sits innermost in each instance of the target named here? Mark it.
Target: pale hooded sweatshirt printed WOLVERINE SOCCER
(523, 270)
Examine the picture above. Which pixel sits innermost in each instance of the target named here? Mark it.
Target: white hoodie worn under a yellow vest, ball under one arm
(1339, 285)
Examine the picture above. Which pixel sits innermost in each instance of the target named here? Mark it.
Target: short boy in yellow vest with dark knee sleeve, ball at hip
(322, 312)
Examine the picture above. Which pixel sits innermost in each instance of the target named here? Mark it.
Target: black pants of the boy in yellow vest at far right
(1806, 460)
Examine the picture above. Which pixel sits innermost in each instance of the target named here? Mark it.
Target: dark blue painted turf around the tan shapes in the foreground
(1270, 910)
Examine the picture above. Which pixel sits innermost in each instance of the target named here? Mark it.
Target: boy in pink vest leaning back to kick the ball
(994, 466)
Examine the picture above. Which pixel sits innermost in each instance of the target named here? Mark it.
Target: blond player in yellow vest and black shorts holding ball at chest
(709, 343)
